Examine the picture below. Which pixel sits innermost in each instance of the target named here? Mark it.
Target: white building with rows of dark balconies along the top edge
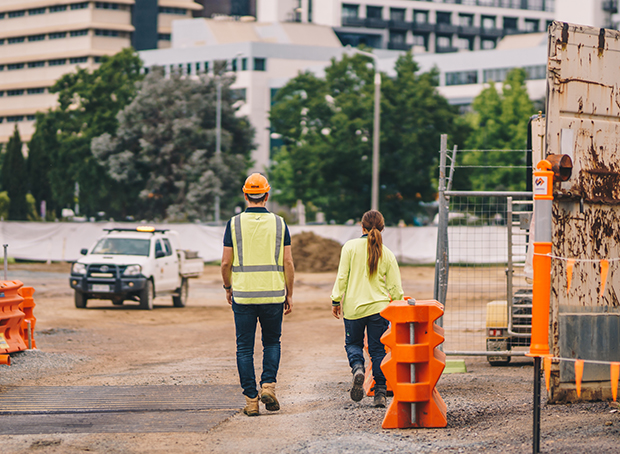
(434, 26)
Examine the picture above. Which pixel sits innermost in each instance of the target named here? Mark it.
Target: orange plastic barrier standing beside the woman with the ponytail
(416, 402)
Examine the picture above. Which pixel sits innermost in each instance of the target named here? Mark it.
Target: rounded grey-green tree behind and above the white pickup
(163, 155)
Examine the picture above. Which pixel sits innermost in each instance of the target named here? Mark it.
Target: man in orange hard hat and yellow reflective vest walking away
(258, 274)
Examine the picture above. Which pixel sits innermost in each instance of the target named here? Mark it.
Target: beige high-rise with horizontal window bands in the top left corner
(40, 40)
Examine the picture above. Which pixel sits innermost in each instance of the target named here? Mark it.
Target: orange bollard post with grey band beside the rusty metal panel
(543, 200)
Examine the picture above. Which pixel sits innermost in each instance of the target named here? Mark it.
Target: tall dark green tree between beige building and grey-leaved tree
(88, 103)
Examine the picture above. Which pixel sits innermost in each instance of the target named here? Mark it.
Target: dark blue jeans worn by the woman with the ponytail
(375, 326)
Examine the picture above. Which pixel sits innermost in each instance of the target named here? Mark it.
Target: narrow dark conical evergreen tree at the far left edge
(14, 178)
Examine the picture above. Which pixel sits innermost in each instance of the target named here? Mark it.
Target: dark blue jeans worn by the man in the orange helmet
(270, 318)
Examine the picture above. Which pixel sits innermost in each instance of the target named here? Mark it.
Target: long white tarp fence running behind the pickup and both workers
(62, 241)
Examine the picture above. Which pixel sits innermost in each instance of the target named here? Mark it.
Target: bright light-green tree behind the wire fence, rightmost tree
(499, 122)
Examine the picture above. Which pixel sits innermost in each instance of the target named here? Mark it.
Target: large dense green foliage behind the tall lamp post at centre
(326, 125)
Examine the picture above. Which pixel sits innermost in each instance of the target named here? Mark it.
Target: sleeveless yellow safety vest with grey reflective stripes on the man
(258, 262)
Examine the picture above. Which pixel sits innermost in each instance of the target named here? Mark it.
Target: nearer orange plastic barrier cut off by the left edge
(11, 317)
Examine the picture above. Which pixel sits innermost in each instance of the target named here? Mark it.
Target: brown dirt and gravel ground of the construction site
(121, 348)
